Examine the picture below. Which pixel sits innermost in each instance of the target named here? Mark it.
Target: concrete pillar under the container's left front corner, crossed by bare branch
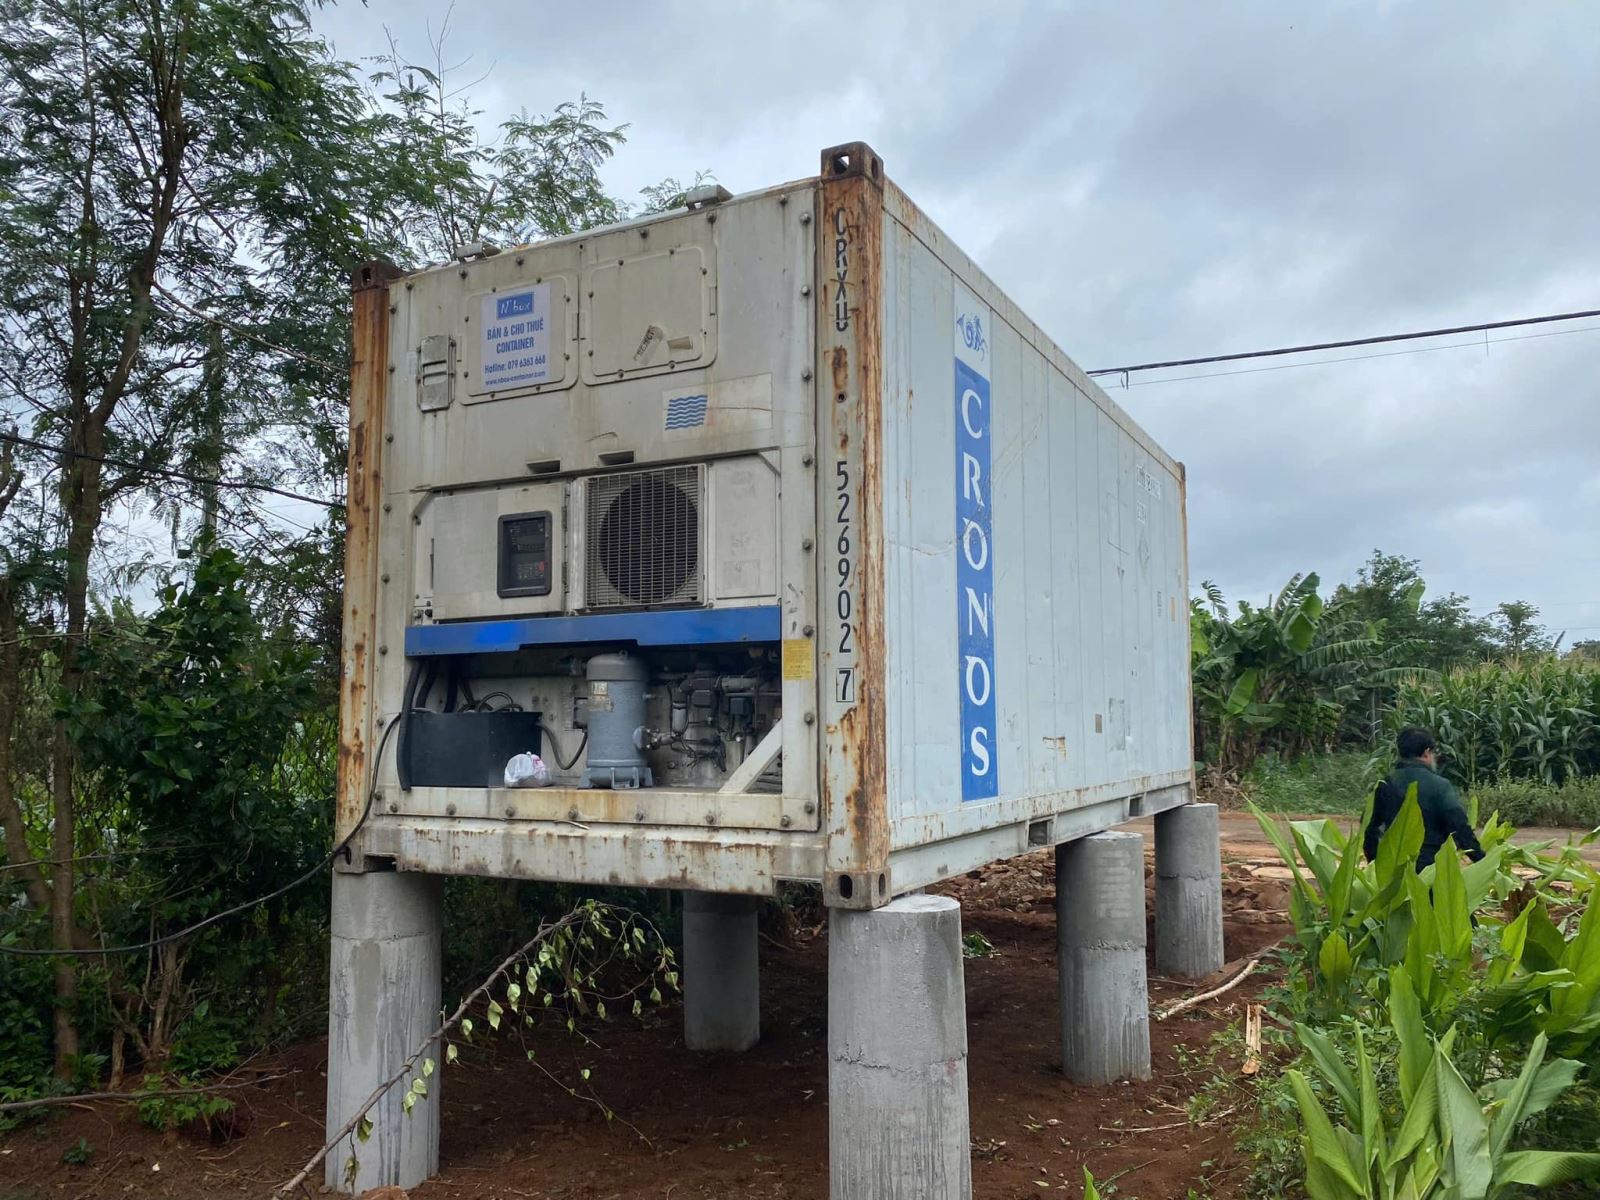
(383, 1001)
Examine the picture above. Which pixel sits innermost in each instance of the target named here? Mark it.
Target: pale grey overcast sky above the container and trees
(1177, 180)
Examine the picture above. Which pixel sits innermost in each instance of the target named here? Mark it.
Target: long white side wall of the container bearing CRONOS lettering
(1090, 618)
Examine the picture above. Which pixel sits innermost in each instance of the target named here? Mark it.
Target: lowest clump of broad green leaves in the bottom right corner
(1446, 1143)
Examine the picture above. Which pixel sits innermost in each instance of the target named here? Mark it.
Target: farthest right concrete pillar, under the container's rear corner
(1188, 892)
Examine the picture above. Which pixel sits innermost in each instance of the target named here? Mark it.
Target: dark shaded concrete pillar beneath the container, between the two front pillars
(722, 990)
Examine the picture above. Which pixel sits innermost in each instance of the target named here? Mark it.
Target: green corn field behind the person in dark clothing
(1510, 721)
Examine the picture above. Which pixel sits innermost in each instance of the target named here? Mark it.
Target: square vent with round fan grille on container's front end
(644, 538)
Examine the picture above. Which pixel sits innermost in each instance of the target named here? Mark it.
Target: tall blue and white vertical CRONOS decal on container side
(975, 550)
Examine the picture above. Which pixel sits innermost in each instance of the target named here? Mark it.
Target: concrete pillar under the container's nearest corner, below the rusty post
(897, 1054)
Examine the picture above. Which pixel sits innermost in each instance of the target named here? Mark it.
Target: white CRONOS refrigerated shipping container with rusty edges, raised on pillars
(914, 591)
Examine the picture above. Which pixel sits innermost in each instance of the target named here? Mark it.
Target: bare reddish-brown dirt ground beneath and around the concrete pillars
(754, 1126)
